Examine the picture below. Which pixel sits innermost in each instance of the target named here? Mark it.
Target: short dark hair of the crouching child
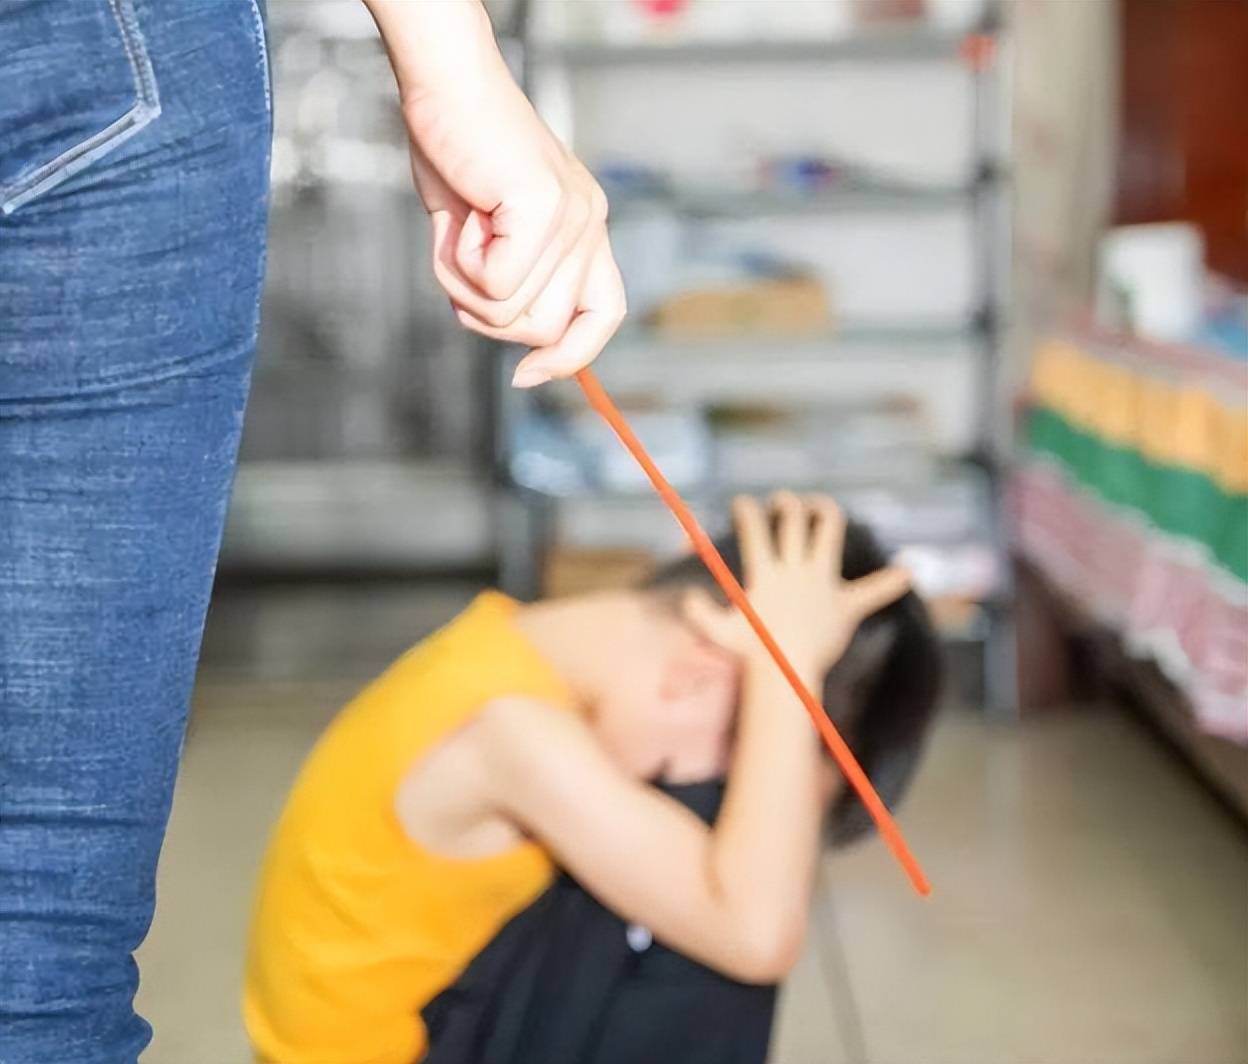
(882, 694)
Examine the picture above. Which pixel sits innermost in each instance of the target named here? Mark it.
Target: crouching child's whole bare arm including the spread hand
(734, 896)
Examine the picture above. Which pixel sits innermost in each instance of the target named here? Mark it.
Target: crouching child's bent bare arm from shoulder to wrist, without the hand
(734, 897)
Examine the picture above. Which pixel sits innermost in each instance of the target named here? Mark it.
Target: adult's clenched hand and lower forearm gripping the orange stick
(520, 225)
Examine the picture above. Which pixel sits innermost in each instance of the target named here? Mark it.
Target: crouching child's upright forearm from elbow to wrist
(767, 839)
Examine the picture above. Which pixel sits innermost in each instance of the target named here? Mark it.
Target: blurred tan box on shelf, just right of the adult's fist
(788, 306)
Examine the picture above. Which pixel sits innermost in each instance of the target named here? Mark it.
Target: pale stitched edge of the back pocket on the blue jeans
(83, 155)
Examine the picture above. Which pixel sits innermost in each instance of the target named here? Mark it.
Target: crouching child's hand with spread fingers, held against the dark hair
(792, 559)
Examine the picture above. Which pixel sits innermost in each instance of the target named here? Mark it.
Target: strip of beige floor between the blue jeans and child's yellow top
(244, 752)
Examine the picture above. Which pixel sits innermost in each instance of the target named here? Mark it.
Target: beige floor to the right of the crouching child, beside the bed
(1090, 907)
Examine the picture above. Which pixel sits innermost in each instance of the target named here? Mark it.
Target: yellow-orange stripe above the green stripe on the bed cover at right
(1186, 426)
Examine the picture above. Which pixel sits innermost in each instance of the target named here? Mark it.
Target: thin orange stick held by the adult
(714, 562)
